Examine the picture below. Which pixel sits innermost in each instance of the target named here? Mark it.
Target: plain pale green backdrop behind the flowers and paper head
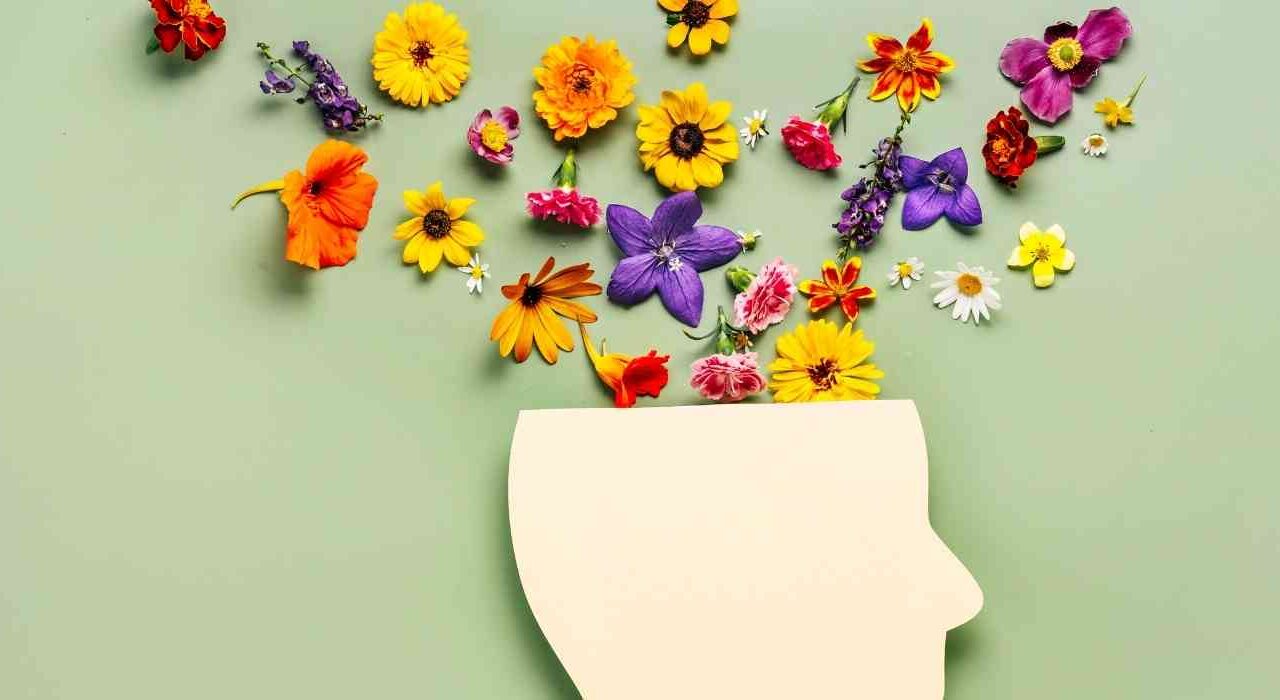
(225, 477)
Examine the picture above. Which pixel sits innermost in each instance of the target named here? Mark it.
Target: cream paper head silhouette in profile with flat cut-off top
(803, 565)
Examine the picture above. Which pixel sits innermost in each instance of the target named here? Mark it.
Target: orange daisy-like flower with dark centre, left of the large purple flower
(531, 318)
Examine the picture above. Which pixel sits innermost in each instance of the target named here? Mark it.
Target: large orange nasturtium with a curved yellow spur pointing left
(328, 205)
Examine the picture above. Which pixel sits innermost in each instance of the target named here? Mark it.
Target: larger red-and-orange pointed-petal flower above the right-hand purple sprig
(911, 71)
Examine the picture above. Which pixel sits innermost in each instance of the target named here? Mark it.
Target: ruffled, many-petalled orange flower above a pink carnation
(583, 86)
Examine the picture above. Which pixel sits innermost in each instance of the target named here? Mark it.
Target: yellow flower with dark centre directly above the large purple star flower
(687, 140)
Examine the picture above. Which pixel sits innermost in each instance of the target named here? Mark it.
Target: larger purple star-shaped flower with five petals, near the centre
(665, 254)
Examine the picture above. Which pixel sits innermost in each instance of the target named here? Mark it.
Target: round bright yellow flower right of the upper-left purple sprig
(423, 57)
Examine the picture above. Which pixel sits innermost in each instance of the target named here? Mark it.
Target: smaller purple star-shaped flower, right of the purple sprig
(939, 189)
